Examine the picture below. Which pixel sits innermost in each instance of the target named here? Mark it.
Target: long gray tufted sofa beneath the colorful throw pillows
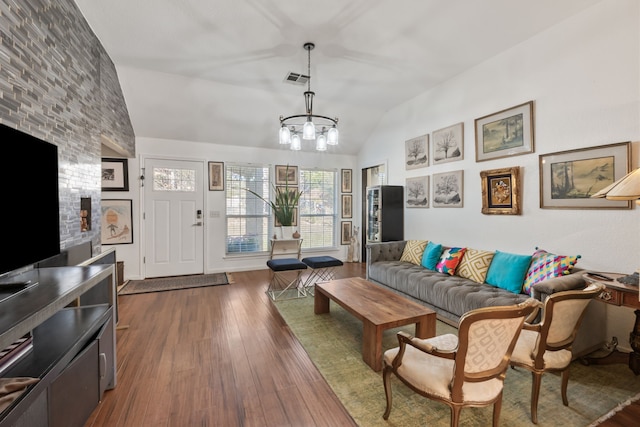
(450, 296)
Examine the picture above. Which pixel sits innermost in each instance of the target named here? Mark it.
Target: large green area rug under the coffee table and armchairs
(333, 342)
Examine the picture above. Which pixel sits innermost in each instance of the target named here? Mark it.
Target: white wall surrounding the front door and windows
(215, 232)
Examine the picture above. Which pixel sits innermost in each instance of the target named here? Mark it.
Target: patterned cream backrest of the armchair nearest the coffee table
(486, 338)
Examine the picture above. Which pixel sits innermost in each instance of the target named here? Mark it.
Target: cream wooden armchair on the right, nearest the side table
(546, 346)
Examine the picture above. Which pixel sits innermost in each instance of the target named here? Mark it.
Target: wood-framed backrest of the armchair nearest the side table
(561, 318)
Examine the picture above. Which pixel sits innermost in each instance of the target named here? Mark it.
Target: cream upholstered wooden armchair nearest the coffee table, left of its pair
(464, 370)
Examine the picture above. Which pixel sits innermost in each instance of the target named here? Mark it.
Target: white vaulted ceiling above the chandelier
(213, 70)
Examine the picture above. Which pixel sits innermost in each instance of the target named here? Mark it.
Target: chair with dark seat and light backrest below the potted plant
(285, 279)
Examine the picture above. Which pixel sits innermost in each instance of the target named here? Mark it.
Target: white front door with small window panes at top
(173, 217)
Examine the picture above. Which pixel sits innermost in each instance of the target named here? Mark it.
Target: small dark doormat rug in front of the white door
(174, 283)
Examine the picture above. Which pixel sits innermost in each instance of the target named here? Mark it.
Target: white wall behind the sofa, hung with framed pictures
(584, 78)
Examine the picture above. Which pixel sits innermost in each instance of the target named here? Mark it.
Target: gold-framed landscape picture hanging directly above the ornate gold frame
(505, 133)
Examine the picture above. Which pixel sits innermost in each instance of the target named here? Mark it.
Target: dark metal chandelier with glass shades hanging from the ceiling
(308, 126)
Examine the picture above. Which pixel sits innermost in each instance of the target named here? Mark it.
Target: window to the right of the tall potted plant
(317, 207)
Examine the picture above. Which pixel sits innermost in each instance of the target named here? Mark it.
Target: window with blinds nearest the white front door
(247, 216)
